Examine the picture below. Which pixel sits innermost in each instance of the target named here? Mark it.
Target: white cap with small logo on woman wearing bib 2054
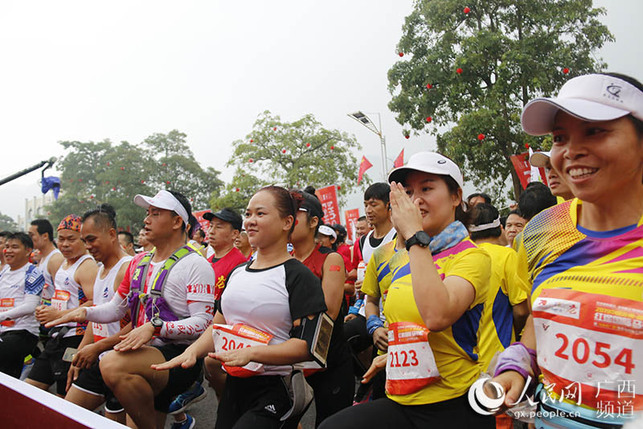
(592, 97)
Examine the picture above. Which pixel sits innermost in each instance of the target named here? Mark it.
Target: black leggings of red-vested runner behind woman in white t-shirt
(334, 389)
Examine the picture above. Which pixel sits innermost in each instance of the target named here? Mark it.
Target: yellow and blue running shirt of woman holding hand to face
(455, 348)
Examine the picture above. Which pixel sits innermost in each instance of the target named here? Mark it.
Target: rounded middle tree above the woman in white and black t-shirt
(292, 154)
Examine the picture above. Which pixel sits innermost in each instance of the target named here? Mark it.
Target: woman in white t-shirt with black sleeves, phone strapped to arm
(268, 296)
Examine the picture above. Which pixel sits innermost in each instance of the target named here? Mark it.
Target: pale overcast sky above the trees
(80, 70)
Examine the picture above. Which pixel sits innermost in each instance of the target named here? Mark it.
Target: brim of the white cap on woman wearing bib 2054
(538, 115)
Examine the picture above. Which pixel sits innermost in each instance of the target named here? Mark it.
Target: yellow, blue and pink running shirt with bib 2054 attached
(587, 304)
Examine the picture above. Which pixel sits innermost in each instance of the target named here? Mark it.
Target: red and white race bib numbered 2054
(591, 341)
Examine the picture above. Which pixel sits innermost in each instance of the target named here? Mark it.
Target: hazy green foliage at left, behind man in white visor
(93, 173)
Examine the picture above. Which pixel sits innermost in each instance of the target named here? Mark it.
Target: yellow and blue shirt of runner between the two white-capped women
(506, 289)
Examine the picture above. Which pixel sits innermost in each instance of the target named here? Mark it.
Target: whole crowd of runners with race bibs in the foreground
(441, 311)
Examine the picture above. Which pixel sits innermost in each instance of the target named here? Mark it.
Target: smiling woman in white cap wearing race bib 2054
(585, 334)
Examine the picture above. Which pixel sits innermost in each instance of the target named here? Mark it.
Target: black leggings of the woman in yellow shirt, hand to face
(386, 413)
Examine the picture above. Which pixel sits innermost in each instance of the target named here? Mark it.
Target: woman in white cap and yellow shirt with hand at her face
(437, 293)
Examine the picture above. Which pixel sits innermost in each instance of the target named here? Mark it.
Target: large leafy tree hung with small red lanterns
(470, 71)
